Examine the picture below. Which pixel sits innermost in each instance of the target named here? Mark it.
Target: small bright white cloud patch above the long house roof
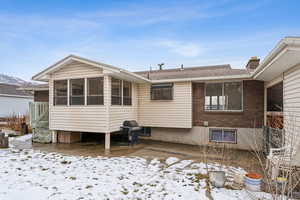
(187, 49)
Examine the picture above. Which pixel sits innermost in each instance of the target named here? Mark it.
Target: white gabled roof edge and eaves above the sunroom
(107, 69)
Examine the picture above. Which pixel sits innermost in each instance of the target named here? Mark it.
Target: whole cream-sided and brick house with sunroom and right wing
(195, 105)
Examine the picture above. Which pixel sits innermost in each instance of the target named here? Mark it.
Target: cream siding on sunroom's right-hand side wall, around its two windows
(120, 113)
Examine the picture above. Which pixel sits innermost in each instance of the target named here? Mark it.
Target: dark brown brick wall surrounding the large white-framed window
(252, 115)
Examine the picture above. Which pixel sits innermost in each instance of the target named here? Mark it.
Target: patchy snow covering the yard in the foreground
(34, 175)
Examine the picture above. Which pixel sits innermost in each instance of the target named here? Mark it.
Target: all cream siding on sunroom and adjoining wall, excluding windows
(106, 118)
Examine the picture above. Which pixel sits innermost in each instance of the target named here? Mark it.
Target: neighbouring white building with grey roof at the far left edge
(13, 101)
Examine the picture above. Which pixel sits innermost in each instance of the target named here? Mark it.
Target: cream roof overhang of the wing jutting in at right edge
(284, 56)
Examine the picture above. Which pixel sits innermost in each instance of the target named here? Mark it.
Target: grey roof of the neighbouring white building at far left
(13, 91)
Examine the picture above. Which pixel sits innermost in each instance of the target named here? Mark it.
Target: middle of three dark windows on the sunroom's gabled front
(77, 92)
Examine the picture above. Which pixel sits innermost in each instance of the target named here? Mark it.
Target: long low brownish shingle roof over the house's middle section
(193, 72)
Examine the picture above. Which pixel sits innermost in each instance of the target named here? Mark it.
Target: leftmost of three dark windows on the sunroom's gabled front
(60, 92)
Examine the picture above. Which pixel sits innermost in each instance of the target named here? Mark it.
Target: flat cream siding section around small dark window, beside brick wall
(175, 113)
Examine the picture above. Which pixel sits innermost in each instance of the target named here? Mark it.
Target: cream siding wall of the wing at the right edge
(291, 105)
